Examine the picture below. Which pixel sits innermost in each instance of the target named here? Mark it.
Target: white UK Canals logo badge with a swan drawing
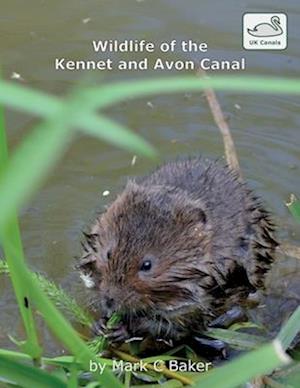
(265, 31)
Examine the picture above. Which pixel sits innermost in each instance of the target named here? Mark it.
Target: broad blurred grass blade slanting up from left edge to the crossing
(29, 165)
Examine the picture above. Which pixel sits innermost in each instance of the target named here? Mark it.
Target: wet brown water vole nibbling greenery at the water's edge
(176, 244)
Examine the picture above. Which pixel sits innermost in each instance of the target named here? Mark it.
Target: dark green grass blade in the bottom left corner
(27, 376)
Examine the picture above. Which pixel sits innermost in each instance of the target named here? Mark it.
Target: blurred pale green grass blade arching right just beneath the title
(104, 96)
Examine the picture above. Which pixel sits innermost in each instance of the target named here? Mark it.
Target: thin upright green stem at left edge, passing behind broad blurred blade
(11, 236)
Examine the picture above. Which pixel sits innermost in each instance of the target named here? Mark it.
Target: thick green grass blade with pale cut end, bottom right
(246, 367)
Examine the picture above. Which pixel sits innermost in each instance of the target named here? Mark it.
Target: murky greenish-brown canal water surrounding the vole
(266, 128)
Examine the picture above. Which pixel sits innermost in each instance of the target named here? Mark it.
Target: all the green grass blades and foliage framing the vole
(20, 177)
